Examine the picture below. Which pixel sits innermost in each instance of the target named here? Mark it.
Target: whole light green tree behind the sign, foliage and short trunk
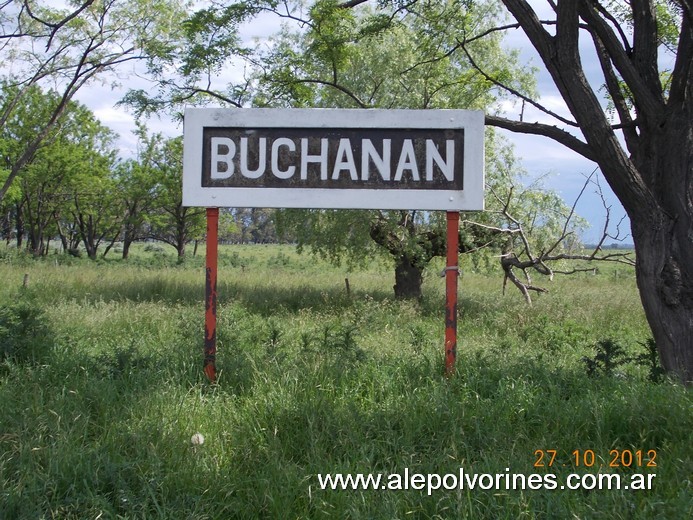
(366, 60)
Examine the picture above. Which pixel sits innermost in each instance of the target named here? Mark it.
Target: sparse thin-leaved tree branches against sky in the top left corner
(42, 45)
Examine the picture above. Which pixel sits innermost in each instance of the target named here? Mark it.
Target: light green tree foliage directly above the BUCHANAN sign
(368, 59)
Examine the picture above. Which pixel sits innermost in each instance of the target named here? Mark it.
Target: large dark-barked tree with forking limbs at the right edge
(642, 141)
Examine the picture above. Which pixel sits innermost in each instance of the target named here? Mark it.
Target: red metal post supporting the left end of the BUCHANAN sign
(210, 368)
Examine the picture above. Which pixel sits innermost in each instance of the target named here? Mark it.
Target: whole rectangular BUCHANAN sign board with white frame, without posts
(338, 159)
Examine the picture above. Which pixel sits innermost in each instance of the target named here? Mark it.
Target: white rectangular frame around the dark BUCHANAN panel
(471, 198)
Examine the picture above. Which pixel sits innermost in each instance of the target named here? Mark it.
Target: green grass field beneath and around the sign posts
(101, 390)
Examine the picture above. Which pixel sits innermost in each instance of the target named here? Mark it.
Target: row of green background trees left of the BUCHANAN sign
(75, 188)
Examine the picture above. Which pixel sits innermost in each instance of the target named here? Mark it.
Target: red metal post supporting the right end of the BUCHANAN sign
(451, 275)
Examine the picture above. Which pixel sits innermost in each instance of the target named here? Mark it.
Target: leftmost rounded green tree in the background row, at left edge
(49, 183)
